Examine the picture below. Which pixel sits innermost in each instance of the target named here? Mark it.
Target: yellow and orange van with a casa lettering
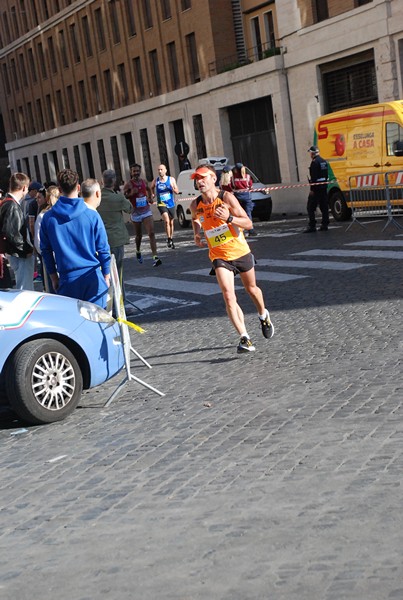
(360, 144)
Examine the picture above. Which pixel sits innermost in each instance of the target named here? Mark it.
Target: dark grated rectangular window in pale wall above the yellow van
(353, 85)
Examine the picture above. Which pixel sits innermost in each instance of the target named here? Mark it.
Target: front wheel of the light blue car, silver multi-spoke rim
(43, 381)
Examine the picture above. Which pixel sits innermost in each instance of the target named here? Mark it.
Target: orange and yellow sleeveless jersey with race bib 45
(225, 241)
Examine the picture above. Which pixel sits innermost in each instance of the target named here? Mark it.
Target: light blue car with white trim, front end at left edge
(51, 348)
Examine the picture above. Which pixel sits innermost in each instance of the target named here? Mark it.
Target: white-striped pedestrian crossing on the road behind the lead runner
(148, 293)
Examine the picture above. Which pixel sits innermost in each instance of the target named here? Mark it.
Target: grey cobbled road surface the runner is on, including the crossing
(268, 476)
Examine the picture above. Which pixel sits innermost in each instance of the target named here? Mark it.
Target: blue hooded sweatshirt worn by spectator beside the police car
(73, 240)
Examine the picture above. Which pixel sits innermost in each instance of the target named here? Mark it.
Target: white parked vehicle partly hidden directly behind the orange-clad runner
(188, 191)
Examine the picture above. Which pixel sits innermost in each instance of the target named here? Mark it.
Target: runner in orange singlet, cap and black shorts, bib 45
(223, 220)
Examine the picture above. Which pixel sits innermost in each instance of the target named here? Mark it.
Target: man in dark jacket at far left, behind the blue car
(13, 233)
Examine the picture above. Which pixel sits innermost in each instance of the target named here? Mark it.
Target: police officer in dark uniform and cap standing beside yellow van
(318, 173)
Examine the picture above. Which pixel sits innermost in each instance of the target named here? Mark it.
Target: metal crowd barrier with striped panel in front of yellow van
(376, 194)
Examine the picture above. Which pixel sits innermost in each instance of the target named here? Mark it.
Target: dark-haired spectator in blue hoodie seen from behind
(74, 245)
